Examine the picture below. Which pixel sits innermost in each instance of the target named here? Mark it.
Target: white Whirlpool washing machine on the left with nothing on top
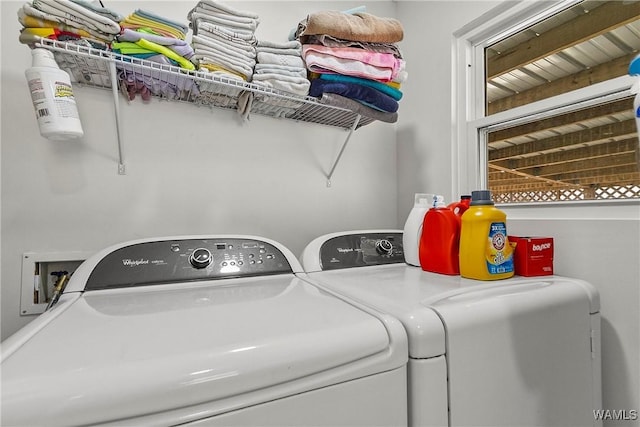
(204, 330)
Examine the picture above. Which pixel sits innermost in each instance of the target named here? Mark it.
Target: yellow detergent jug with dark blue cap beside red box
(485, 252)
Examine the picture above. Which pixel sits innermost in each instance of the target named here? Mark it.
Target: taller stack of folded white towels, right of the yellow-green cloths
(224, 39)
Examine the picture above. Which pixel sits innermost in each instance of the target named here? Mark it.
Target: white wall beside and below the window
(597, 244)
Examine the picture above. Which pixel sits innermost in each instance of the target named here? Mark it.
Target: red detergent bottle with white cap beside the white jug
(440, 240)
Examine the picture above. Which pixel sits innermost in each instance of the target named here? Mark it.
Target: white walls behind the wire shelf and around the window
(266, 177)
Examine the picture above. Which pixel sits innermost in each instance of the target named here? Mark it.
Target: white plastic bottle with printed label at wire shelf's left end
(52, 96)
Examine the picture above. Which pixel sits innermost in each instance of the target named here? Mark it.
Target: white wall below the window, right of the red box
(592, 246)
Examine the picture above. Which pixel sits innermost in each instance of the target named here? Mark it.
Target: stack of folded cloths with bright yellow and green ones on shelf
(146, 35)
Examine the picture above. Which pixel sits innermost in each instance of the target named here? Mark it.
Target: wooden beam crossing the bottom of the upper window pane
(615, 68)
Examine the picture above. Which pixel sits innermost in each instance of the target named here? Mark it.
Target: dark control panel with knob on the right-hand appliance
(363, 249)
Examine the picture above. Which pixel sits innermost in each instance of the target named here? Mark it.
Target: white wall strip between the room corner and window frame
(425, 128)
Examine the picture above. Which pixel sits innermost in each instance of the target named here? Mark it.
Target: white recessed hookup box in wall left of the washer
(39, 275)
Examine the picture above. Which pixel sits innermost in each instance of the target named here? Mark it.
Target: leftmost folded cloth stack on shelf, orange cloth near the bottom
(69, 21)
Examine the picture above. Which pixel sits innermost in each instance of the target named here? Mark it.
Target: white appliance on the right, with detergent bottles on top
(515, 352)
